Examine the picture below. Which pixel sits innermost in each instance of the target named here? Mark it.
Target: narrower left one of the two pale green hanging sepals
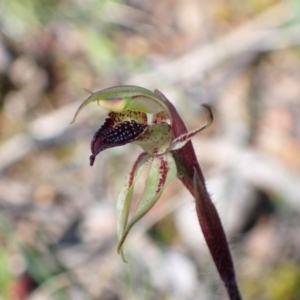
(125, 195)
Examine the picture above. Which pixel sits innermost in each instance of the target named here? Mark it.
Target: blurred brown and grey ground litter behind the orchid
(57, 214)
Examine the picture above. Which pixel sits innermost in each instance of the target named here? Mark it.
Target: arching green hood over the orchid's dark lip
(128, 97)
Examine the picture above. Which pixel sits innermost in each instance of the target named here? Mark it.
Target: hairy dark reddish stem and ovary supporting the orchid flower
(189, 172)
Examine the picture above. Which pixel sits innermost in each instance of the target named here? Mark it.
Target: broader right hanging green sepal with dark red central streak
(162, 171)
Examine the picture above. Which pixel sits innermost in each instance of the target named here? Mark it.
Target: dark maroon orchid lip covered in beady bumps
(110, 135)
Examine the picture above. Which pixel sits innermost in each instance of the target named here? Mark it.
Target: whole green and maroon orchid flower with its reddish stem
(148, 119)
